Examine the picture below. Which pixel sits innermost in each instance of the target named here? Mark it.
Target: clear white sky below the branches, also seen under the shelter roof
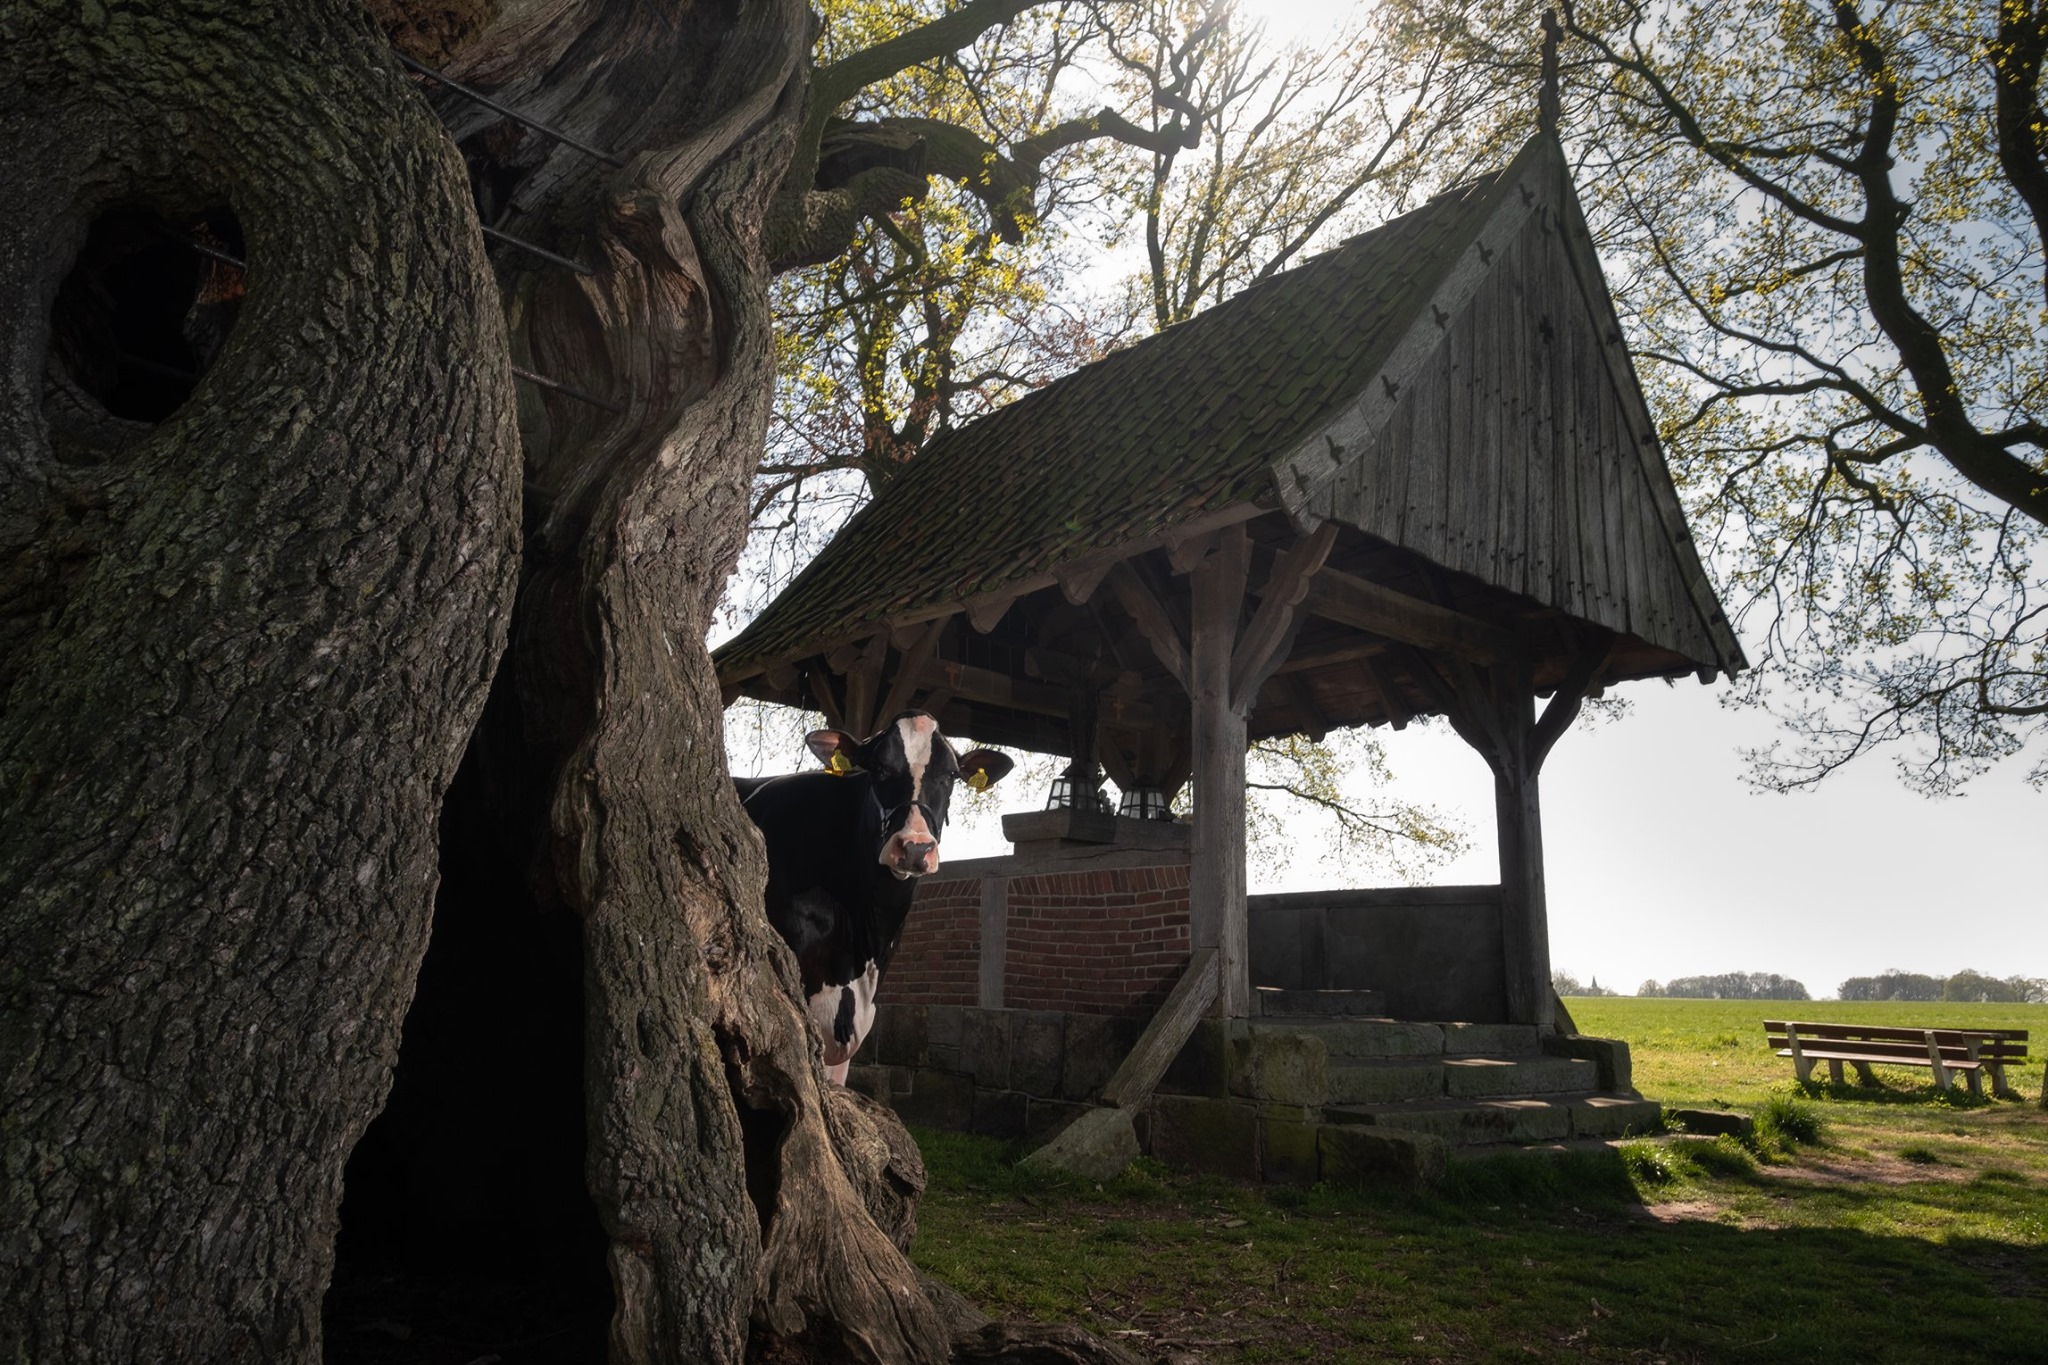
(1664, 863)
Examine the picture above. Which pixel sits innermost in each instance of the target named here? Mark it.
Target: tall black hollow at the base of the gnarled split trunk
(468, 1231)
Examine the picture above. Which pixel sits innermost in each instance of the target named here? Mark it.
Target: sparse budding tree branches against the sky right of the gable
(1826, 222)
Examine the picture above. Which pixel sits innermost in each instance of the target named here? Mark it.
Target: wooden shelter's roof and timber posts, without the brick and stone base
(1412, 476)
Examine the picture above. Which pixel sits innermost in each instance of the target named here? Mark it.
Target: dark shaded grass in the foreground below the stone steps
(1508, 1260)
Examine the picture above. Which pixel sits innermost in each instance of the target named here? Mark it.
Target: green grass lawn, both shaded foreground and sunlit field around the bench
(1914, 1231)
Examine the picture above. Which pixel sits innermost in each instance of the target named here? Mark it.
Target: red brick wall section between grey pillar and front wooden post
(1097, 942)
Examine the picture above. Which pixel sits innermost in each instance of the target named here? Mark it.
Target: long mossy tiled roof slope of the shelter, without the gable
(1152, 437)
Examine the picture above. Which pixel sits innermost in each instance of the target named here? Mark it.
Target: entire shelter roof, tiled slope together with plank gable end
(1451, 390)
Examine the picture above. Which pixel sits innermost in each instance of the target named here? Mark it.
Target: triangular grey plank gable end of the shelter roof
(1508, 439)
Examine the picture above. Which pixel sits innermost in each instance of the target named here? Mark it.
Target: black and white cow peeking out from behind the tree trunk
(845, 852)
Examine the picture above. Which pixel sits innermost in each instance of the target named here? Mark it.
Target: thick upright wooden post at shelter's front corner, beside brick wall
(1218, 861)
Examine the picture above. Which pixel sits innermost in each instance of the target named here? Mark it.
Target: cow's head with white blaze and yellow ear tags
(908, 770)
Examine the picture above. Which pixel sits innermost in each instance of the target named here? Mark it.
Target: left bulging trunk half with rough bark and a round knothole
(243, 650)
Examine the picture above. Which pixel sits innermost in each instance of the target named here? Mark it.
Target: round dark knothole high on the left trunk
(146, 308)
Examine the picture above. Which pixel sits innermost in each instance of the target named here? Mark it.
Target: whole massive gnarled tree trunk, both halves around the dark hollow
(245, 654)
